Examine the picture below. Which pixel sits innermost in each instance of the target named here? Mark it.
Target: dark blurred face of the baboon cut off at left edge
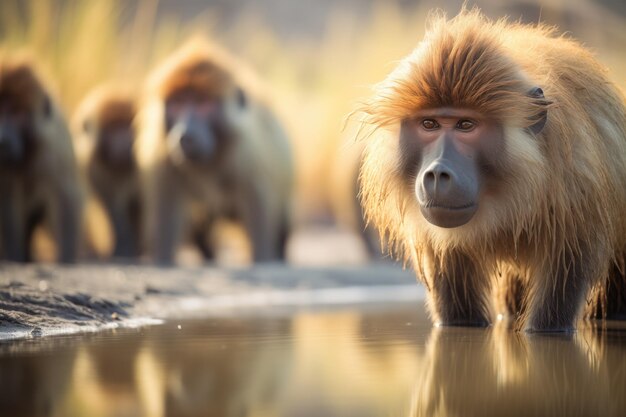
(17, 136)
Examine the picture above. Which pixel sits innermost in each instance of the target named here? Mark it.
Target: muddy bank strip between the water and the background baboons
(41, 300)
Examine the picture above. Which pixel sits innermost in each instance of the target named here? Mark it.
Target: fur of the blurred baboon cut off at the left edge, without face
(49, 181)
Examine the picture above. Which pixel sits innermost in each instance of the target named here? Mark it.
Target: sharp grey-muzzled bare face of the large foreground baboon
(449, 152)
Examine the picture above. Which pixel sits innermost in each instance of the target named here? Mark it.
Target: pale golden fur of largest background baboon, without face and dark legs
(261, 162)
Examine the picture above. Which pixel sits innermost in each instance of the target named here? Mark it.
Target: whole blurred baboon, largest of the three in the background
(210, 149)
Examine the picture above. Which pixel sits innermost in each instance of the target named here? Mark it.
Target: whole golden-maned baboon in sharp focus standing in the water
(499, 158)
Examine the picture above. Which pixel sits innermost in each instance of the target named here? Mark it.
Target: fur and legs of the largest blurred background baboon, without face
(250, 183)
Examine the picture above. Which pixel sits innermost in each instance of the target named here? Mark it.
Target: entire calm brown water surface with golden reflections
(384, 361)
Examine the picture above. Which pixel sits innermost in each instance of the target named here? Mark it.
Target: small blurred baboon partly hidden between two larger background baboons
(105, 136)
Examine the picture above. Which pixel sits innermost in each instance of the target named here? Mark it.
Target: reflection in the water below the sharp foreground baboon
(497, 372)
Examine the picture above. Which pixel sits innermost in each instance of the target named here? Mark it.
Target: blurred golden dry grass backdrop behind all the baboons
(314, 83)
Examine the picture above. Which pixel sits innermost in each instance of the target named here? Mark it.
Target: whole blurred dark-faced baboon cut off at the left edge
(38, 175)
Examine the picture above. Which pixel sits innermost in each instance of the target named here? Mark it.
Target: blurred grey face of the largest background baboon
(198, 129)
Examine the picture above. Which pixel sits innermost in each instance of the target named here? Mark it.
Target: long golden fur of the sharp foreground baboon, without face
(564, 190)
